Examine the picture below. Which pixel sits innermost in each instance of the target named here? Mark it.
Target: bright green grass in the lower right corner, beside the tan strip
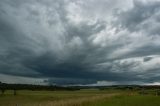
(134, 100)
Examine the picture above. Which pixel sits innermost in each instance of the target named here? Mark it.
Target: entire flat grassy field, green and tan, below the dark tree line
(91, 97)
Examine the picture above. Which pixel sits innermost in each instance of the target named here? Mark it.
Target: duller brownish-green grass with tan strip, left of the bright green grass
(53, 98)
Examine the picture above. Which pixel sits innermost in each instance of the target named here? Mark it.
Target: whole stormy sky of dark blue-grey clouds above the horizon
(67, 42)
